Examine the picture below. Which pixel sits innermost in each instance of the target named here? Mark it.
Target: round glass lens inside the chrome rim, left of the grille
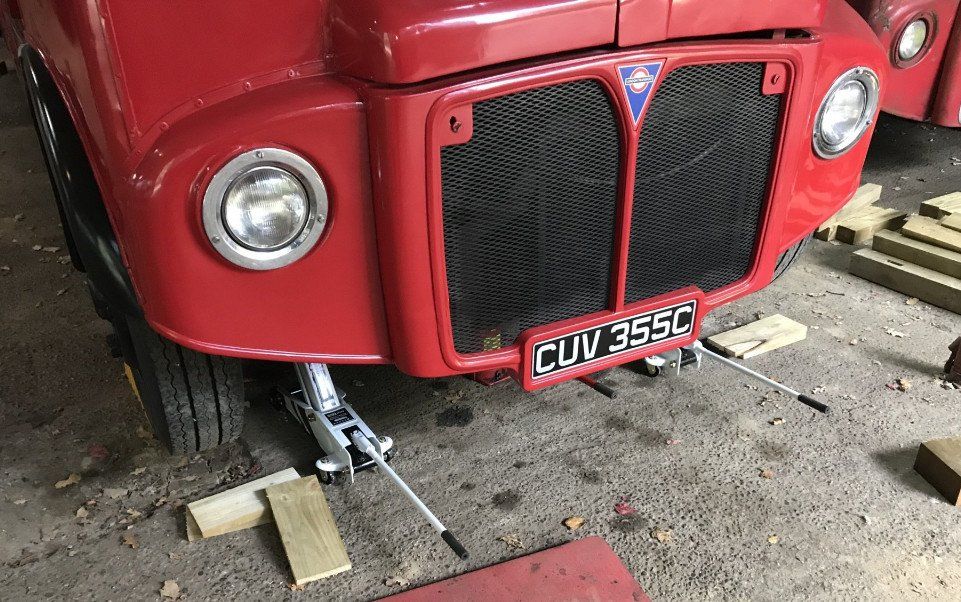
(265, 208)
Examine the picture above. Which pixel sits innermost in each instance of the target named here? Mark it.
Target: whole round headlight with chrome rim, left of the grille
(265, 209)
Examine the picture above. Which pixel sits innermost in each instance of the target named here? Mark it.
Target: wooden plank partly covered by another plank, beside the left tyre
(238, 508)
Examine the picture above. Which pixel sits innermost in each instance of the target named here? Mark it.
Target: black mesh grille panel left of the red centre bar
(529, 209)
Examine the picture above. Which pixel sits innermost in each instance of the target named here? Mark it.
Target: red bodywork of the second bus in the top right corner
(929, 88)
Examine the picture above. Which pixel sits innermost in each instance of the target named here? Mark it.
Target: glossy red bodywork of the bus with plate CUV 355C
(164, 93)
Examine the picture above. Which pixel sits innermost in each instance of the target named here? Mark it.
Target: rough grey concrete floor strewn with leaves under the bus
(852, 519)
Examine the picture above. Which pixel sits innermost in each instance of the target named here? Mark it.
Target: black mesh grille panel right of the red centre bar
(703, 167)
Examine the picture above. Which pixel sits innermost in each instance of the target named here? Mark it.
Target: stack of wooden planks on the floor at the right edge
(923, 260)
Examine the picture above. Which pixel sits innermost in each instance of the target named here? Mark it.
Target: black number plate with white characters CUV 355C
(613, 338)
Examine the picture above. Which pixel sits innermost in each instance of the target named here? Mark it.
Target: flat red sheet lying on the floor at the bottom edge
(586, 569)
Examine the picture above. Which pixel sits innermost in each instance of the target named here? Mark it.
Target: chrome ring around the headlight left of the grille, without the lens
(235, 252)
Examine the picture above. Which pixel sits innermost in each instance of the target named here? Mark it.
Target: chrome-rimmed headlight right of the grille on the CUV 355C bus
(846, 112)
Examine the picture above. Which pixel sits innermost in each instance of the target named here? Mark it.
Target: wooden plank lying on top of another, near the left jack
(313, 544)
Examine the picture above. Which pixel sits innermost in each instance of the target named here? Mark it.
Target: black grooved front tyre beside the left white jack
(201, 395)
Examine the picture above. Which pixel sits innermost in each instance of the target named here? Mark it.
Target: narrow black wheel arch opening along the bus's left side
(89, 234)
